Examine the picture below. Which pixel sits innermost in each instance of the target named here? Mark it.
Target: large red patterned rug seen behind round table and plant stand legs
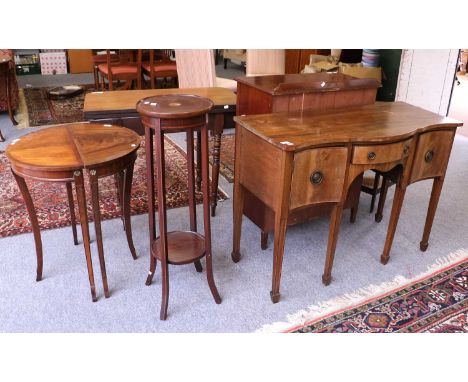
(50, 199)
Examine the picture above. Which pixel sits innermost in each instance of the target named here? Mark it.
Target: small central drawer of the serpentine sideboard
(384, 153)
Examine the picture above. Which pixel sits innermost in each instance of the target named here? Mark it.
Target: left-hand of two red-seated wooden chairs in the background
(127, 69)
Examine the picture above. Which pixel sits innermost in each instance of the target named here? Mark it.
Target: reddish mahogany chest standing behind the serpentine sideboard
(300, 92)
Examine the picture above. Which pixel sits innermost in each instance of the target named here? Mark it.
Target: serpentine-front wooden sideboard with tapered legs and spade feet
(294, 161)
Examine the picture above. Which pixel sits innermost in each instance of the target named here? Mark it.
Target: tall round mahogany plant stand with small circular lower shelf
(170, 114)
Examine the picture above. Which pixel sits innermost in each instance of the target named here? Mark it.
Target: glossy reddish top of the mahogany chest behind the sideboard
(307, 83)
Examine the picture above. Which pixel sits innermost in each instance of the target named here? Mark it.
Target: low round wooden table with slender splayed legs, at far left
(62, 154)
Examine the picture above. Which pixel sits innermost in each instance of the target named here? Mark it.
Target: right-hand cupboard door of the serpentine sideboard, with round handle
(432, 155)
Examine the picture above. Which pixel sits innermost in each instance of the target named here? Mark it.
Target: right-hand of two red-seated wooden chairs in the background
(159, 67)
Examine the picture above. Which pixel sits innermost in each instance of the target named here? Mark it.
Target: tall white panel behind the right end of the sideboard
(426, 78)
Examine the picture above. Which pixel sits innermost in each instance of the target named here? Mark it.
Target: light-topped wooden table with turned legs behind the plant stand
(119, 108)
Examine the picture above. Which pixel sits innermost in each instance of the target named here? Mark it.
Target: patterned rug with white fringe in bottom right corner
(434, 303)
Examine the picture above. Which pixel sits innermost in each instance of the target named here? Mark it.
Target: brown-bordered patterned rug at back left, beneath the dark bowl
(42, 111)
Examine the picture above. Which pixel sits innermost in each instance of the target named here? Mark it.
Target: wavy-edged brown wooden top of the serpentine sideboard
(377, 123)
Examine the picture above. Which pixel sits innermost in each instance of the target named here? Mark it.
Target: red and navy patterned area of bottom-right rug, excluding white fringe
(437, 303)
